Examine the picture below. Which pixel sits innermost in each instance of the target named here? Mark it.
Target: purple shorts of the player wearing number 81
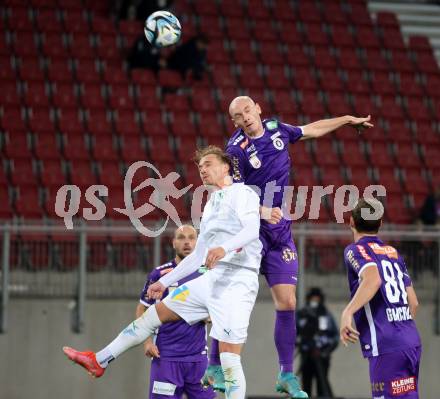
(395, 375)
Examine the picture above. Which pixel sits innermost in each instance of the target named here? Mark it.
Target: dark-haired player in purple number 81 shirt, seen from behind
(383, 306)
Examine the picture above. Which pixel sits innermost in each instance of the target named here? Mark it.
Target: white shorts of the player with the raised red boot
(226, 294)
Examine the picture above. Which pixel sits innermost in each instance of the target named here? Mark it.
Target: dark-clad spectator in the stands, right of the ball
(190, 56)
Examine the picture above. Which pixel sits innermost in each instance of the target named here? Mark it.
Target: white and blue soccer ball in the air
(162, 29)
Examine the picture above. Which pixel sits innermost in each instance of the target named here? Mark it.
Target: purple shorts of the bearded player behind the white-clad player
(171, 379)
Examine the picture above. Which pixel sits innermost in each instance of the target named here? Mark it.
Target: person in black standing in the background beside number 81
(317, 338)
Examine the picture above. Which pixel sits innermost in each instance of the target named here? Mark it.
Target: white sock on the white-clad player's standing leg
(235, 380)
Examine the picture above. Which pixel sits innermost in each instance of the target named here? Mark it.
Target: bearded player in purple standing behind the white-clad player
(179, 350)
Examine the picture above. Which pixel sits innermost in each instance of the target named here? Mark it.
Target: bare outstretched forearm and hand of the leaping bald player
(320, 128)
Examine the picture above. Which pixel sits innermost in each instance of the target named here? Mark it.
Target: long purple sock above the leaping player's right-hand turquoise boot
(285, 337)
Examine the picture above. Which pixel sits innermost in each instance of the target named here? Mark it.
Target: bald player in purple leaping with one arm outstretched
(259, 150)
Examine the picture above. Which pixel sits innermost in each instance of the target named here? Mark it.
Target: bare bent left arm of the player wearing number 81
(368, 287)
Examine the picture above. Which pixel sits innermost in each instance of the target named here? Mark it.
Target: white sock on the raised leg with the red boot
(134, 334)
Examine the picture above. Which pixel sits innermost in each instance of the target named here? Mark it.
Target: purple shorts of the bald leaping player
(279, 263)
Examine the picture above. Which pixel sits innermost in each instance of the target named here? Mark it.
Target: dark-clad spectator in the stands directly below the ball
(143, 55)
